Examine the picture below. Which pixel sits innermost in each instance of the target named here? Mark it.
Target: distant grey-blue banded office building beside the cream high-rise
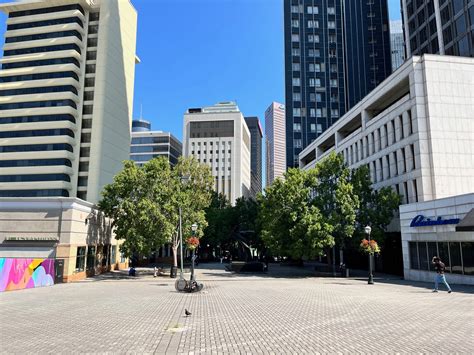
(148, 144)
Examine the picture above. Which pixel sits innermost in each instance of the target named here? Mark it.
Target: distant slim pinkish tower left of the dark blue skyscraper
(275, 142)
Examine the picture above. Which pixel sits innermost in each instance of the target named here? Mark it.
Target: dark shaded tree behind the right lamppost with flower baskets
(376, 208)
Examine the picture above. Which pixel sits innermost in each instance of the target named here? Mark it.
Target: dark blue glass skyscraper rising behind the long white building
(336, 52)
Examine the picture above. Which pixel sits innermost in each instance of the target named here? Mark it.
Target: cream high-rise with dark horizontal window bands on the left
(66, 95)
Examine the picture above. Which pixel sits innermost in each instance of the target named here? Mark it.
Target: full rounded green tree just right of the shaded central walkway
(291, 224)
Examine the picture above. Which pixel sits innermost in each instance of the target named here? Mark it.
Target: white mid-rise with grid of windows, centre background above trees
(219, 137)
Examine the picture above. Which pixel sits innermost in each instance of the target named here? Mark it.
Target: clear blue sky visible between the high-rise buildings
(196, 53)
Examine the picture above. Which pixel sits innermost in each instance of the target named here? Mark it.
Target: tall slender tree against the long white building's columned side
(335, 197)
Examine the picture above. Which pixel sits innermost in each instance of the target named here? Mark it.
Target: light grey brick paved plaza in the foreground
(237, 314)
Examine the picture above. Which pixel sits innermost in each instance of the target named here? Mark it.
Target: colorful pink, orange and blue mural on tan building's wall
(17, 273)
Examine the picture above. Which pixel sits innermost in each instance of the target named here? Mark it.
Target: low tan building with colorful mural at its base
(67, 232)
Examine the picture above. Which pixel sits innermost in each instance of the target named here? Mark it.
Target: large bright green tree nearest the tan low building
(139, 201)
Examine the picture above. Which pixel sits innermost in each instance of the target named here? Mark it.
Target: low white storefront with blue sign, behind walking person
(443, 228)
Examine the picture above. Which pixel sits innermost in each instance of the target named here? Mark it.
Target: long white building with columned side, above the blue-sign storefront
(415, 131)
